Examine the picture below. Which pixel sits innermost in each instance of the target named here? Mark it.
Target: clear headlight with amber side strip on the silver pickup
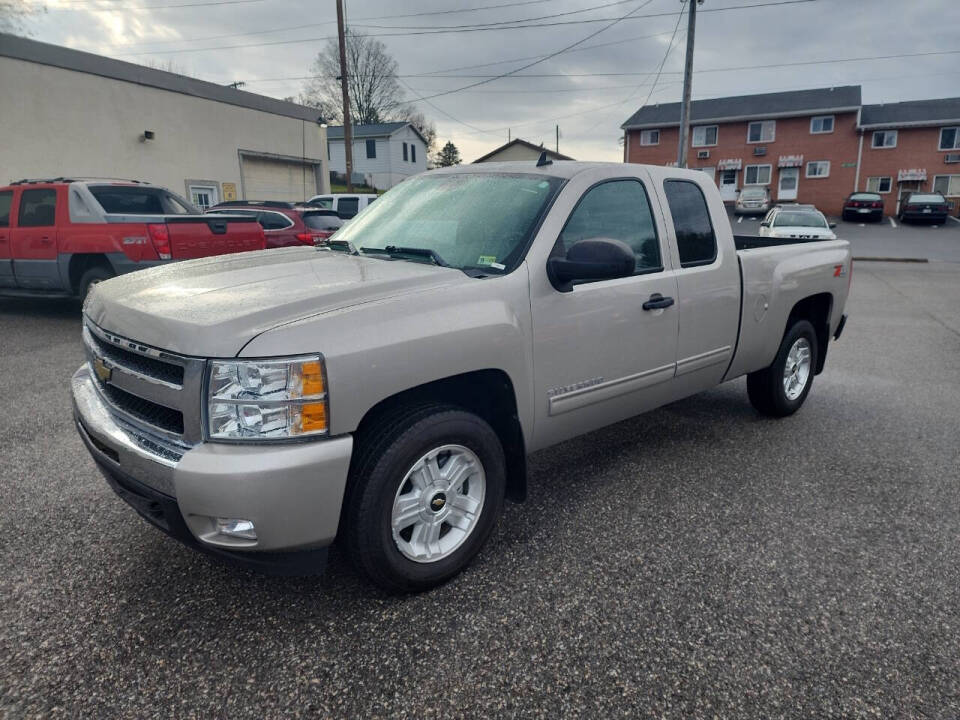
(273, 399)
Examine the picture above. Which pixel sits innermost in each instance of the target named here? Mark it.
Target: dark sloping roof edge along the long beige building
(13, 46)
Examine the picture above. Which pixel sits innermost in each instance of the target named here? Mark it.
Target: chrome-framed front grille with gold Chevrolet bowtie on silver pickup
(151, 389)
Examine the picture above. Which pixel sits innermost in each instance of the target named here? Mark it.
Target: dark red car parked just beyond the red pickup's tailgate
(285, 223)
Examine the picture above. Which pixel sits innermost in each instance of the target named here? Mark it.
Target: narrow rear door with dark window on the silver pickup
(708, 283)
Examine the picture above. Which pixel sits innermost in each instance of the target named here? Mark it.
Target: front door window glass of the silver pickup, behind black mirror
(617, 209)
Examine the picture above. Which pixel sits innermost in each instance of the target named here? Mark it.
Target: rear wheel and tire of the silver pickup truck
(780, 389)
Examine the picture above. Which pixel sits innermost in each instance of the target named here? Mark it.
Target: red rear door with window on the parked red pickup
(33, 241)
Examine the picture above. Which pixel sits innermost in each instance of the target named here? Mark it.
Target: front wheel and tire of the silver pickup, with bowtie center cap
(426, 489)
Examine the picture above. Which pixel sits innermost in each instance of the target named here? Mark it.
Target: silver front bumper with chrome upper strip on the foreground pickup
(291, 492)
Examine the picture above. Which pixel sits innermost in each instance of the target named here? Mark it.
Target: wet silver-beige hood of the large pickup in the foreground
(212, 307)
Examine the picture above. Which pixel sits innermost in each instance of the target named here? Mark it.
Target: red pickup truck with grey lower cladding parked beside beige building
(58, 237)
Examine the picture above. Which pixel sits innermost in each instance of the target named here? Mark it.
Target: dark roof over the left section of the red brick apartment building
(750, 107)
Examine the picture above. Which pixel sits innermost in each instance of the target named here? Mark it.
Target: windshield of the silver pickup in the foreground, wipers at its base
(471, 220)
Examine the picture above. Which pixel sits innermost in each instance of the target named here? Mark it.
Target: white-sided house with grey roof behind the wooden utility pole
(383, 154)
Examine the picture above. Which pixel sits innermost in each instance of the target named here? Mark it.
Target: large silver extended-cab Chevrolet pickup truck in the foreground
(386, 389)
